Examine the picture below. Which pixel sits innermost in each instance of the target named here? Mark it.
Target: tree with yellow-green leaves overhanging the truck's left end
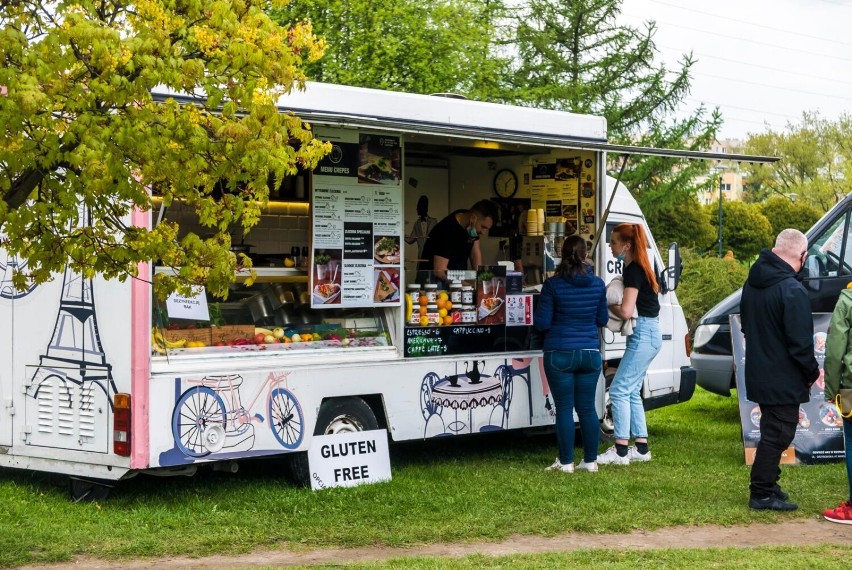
(81, 132)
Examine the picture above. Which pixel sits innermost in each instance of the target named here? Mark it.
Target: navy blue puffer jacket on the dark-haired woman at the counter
(571, 310)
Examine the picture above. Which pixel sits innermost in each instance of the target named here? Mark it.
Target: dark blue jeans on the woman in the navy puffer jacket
(573, 379)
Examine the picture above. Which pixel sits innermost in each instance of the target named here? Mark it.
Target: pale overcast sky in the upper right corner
(762, 62)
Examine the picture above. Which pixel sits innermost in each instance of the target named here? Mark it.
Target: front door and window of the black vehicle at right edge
(828, 267)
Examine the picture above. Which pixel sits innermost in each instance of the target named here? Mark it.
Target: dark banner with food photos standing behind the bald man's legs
(819, 435)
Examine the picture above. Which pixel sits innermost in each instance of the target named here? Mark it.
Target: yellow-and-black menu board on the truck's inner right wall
(564, 187)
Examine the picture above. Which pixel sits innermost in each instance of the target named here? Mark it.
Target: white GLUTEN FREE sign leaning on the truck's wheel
(349, 459)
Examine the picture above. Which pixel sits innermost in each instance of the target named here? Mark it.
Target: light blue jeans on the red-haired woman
(625, 392)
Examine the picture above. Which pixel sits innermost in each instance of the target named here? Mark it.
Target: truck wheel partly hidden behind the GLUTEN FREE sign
(339, 415)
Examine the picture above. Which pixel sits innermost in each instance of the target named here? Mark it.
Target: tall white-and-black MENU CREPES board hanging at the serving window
(357, 221)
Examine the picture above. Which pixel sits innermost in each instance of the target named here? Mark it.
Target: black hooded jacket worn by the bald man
(779, 332)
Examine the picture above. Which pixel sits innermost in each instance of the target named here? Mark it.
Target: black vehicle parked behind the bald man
(828, 270)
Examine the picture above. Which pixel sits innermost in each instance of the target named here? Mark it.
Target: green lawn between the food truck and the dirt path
(456, 490)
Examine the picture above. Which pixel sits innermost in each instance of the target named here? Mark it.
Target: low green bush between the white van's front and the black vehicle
(705, 281)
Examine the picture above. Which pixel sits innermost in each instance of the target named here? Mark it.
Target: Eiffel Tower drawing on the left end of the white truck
(75, 354)
